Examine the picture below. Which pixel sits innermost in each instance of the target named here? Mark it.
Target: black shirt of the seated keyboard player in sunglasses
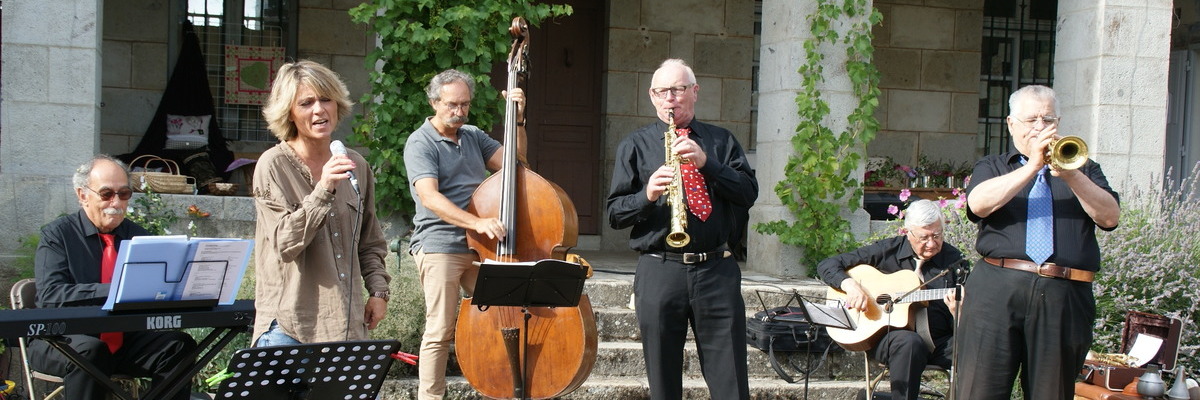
(67, 266)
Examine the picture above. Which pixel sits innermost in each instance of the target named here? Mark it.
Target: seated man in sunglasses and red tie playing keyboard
(74, 266)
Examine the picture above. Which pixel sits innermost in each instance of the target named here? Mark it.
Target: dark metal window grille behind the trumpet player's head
(1017, 51)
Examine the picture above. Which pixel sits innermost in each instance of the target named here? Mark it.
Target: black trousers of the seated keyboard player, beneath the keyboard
(143, 354)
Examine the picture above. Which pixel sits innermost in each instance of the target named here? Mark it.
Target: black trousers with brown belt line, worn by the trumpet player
(1017, 321)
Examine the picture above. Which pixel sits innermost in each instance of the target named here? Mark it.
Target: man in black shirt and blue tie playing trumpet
(1031, 307)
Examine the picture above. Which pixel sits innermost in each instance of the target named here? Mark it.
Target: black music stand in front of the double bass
(544, 284)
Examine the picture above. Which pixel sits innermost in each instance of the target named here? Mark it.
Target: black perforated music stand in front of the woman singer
(328, 371)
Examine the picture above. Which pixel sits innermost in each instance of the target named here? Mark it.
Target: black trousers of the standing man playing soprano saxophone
(669, 297)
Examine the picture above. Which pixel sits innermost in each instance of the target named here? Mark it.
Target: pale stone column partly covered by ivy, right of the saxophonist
(785, 29)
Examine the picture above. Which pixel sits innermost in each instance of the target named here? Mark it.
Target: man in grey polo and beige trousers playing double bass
(447, 160)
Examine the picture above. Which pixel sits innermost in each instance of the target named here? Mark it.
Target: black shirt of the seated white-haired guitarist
(896, 254)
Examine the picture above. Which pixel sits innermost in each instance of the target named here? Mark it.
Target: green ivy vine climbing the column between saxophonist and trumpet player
(819, 181)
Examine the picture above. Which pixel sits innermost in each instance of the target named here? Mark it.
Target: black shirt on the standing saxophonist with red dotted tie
(728, 174)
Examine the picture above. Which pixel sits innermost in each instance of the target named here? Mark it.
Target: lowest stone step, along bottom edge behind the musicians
(628, 389)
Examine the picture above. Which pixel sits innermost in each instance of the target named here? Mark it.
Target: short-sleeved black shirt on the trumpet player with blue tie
(1003, 234)
